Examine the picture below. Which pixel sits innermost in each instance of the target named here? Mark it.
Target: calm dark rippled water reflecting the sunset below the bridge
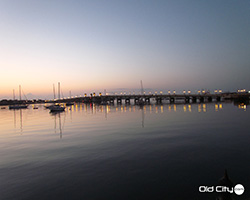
(123, 152)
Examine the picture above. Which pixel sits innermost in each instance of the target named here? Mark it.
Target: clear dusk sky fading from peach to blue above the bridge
(92, 45)
